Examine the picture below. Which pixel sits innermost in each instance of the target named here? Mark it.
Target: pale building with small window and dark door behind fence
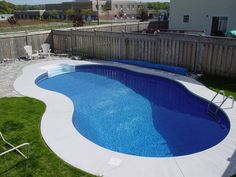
(214, 17)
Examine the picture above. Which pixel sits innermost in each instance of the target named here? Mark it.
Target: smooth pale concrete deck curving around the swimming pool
(61, 136)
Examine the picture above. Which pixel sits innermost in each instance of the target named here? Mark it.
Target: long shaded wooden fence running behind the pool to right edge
(216, 56)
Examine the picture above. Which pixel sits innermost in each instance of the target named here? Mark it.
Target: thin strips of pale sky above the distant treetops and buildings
(58, 1)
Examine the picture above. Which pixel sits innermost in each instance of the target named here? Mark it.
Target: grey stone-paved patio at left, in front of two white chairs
(9, 71)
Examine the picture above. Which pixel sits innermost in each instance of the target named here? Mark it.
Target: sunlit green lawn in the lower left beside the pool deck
(20, 123)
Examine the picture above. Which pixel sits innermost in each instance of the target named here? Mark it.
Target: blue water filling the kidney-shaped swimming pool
(138, 114)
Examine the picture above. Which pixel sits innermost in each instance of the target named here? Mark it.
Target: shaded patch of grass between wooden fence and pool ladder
(218, 83)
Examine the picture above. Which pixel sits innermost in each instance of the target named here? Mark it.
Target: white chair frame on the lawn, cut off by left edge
(14, 148)
